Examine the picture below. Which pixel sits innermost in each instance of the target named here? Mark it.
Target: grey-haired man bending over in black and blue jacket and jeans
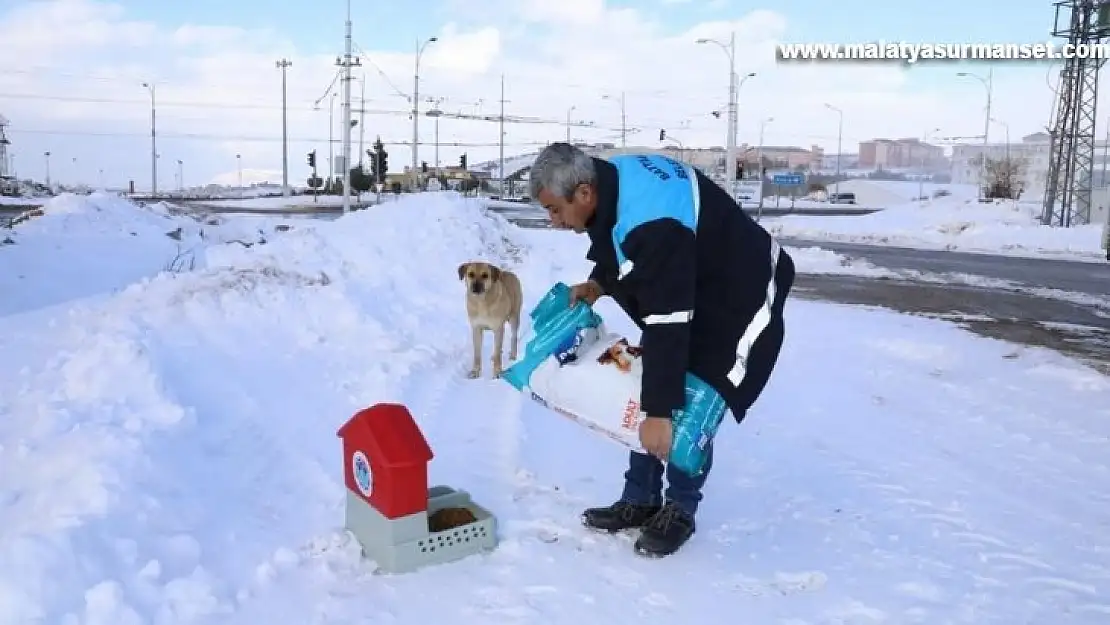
(707, 286)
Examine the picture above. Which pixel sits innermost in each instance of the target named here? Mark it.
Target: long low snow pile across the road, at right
(951, 224)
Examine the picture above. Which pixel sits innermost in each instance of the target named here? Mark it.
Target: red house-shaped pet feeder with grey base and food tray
(399, 521)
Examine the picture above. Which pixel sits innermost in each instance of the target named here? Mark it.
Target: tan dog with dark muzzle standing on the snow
(493, 299)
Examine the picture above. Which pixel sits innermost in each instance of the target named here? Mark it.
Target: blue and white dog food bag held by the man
(566, 369)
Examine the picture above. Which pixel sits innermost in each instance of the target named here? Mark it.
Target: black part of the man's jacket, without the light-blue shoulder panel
(722, 275)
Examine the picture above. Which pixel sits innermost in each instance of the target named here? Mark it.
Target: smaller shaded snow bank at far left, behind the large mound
(83, 246)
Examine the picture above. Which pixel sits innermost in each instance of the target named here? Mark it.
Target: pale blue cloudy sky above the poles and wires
(73, 75)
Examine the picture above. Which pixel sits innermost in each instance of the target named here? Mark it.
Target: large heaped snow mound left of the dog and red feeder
(164, 427)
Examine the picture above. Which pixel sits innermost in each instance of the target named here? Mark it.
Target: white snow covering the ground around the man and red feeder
(168, 450)
